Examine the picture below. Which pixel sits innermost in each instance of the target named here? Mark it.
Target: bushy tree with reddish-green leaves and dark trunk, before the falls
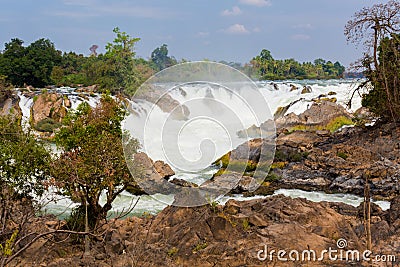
(92, 162)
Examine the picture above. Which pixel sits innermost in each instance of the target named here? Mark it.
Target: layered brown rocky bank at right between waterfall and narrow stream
(315, 158)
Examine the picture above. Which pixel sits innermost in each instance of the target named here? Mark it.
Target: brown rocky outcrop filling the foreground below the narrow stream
(229, 235)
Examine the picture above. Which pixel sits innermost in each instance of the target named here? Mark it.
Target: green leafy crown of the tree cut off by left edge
(24, 161)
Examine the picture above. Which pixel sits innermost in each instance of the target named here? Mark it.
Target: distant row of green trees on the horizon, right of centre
(269, 68)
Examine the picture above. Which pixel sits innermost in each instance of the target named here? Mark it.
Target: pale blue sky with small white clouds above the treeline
(230, 30)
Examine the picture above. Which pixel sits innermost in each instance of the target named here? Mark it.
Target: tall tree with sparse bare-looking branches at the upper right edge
(372, 26)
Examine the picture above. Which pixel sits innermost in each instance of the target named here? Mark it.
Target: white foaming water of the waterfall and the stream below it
(279, 95)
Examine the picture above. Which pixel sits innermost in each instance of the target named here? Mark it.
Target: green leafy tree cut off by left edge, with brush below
(24, 167)
